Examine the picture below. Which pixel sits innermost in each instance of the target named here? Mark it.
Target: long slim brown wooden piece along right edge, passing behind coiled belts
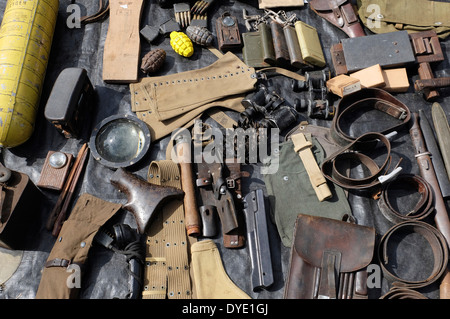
(427, 172)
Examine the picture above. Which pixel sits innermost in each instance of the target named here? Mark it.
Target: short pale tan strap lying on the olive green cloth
(303, 147)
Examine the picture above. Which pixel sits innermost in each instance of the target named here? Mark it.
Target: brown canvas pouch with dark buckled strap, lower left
(71, 248)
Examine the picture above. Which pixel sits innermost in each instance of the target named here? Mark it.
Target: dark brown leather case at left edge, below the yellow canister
(19, 198)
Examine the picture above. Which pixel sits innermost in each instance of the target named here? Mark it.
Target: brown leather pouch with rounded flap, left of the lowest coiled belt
(329, 259)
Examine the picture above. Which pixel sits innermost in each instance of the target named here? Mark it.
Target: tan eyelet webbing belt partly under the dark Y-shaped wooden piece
(167, 273)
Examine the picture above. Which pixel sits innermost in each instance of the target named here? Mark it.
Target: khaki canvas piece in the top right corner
(383, 16)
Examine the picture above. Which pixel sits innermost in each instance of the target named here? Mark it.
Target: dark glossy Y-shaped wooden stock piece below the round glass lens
(143, 197)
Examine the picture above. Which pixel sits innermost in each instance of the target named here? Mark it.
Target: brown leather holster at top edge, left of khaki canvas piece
(341, 14)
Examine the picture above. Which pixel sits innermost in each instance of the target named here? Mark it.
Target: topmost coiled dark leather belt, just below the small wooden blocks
(368, 98)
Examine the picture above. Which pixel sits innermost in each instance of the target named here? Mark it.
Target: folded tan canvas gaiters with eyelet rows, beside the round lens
(173, 101)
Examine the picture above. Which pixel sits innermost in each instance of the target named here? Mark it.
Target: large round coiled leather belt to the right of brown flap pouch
(437, 243)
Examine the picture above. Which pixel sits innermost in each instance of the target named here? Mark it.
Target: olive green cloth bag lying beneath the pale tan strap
(291, 193)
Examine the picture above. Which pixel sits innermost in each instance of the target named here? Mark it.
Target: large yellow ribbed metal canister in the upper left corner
(26, 35)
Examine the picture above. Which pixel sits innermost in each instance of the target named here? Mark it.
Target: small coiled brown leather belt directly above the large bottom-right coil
(421, 210)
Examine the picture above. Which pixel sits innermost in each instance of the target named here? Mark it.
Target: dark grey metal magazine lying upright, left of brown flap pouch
(258, 240)
